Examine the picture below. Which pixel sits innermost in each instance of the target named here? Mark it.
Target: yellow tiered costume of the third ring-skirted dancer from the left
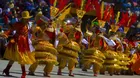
(93, 55)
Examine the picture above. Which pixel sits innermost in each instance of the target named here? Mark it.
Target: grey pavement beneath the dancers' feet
(15, 72)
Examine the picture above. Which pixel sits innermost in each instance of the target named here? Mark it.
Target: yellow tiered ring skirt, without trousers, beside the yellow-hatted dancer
(45, 52)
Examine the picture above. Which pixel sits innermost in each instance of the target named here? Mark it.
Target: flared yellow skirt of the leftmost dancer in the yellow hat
(12, 53)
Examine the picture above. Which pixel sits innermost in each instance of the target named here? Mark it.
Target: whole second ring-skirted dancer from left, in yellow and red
(68, 53)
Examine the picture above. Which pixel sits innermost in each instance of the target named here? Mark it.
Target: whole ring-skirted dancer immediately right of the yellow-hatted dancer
(45, 52)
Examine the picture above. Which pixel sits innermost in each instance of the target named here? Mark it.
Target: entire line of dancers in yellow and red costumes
(62, 43)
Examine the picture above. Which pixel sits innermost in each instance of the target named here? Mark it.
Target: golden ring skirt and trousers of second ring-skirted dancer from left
(68, 54)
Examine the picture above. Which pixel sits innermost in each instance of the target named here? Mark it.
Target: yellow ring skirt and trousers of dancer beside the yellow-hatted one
(45, 54)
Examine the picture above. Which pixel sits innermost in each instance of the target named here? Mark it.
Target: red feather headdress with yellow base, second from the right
(104, 13)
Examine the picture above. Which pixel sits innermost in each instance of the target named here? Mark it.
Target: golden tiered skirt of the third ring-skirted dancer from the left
(93, 56)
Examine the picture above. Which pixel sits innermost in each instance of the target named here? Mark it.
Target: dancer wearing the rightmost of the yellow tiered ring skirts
(121, 50)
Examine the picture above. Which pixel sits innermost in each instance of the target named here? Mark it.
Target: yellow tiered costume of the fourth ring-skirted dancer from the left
(111, 61)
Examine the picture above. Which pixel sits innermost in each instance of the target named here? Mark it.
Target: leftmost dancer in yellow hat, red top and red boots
(18, 48)
